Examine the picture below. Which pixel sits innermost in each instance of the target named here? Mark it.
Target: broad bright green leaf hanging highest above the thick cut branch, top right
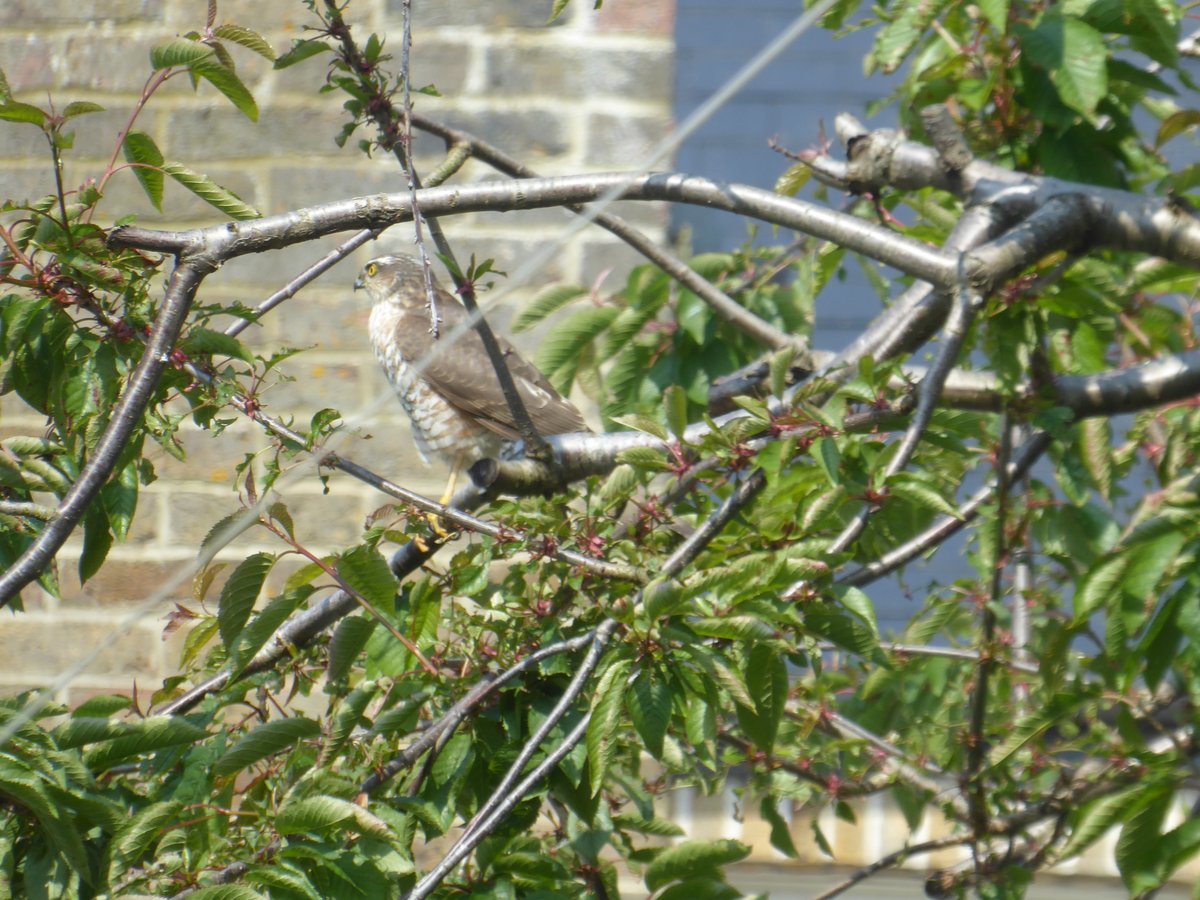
(1073, 56)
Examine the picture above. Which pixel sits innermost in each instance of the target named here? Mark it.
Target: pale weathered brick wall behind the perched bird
(591, 93)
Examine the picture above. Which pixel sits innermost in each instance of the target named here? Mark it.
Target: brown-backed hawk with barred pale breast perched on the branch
(453, 398)
